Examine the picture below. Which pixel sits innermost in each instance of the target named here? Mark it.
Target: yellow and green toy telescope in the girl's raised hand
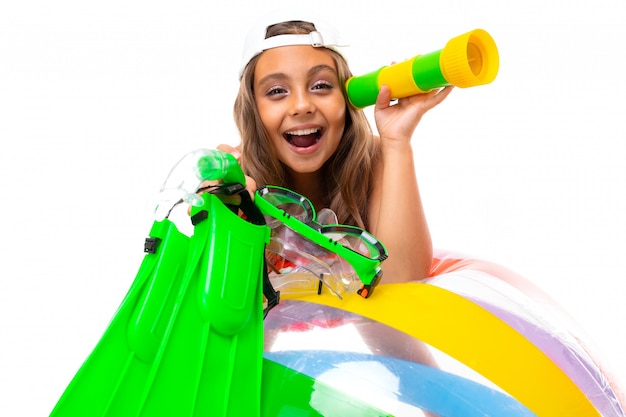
(466, 61)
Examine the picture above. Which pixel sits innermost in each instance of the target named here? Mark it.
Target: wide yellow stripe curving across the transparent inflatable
(475, 337)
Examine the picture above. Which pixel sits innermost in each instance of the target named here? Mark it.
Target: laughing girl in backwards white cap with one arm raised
(299, 131)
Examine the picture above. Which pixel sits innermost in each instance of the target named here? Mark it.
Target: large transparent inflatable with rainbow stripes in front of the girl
(474, 339)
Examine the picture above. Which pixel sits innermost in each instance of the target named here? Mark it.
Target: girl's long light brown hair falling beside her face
(349, 170)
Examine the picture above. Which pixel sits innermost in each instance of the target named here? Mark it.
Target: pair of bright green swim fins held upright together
(187, 340)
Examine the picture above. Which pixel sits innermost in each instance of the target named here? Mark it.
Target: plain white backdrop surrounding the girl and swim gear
(98, 100)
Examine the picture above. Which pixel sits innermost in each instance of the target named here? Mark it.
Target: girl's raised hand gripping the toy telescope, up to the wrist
(398, 121)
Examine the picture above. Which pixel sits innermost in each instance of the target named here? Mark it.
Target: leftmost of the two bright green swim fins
(127, 350)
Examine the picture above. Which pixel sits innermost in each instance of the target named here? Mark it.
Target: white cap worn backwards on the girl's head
(324, 36)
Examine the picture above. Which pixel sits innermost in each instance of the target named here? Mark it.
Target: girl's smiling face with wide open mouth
(300, 101)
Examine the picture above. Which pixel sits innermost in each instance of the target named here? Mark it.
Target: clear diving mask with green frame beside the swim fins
(357, 249)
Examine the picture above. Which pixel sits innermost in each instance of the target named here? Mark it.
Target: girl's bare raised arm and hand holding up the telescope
(396, 214)
